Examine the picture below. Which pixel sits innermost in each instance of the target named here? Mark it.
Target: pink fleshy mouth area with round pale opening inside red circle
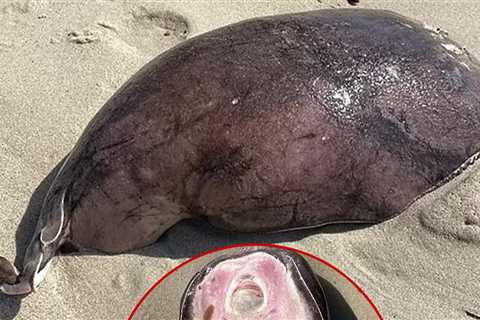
(254, 286)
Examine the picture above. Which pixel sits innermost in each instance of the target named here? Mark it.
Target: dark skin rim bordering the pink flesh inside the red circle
(303, 276)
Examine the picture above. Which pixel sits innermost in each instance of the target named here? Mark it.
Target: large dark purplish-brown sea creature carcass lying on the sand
(275, 123)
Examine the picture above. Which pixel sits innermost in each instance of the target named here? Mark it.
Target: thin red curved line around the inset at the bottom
(254, 245)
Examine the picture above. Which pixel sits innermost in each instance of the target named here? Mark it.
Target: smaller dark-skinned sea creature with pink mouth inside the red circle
(263, 284)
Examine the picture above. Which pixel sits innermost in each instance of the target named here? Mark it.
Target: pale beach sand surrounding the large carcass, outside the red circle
(60, 61)
